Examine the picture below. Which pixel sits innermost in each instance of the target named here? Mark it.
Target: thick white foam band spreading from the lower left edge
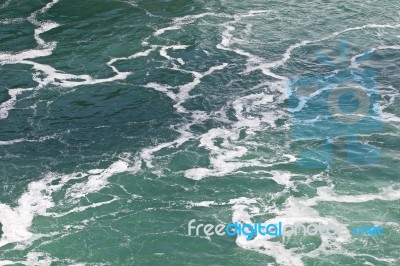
(38, 199)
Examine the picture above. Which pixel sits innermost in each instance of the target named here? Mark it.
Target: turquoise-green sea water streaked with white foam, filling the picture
(121, 121)
